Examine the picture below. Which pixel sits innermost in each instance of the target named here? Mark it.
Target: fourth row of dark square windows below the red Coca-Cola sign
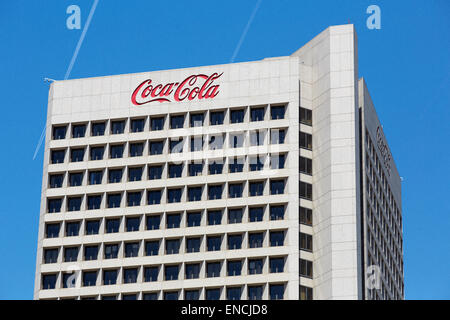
(173, 195)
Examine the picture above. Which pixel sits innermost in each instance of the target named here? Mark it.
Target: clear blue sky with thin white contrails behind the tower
(406, 65)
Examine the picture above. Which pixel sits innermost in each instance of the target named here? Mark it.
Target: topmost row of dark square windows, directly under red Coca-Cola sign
(176, 121)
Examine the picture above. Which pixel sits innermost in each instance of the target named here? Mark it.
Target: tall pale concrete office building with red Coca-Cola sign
(258, 180)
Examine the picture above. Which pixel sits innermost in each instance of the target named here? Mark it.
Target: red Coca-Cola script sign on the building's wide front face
(198, 86)
